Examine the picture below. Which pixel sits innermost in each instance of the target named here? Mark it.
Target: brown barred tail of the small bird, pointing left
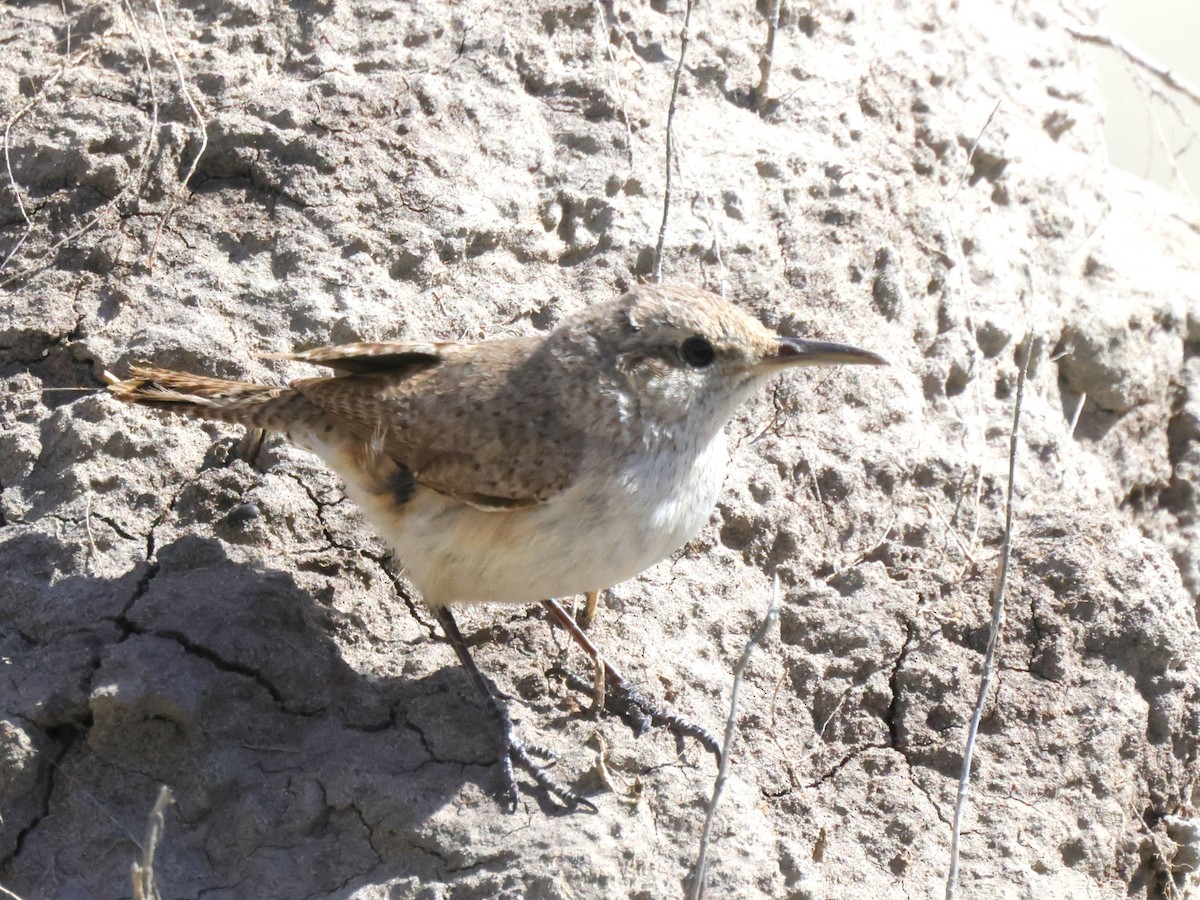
(256, 406)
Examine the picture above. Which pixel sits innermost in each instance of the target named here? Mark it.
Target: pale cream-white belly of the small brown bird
(602, 531)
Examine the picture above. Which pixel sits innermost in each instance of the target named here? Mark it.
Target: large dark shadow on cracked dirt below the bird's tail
(221, 681)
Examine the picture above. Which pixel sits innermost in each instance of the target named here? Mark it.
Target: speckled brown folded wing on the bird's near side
(481, 423)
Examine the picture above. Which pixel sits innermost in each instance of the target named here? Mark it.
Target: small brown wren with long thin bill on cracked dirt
(526, 469)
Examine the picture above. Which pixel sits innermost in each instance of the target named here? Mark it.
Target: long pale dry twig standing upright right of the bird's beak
(998, 614)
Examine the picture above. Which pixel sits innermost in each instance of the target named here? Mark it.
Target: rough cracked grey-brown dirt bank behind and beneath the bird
(377, 171)
